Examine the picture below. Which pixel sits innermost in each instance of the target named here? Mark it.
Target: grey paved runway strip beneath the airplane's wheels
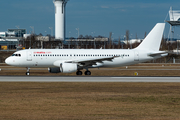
(87, 79)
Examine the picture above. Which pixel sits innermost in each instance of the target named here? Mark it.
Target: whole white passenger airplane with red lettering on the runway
(75, 60)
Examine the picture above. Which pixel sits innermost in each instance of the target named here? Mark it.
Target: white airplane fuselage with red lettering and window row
(47, 57)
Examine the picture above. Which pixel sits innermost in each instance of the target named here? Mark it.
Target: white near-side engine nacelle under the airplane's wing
(68, 67)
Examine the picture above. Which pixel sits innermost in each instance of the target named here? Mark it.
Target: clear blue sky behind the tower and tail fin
(92, 17)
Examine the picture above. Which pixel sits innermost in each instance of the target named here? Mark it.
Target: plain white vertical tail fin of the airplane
(153, 40)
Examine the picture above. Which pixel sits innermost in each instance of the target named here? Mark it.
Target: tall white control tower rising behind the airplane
(60, 18)
